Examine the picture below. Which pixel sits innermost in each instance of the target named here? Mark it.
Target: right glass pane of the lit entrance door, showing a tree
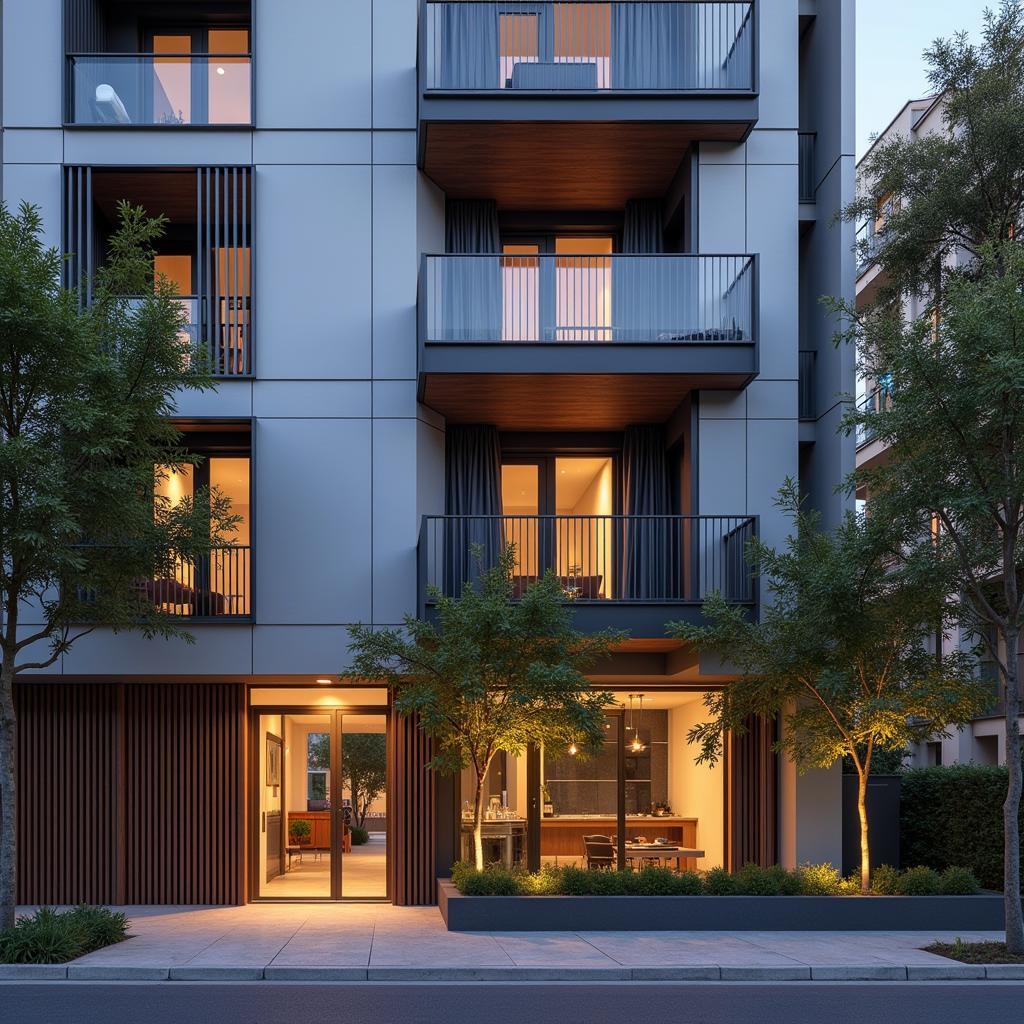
(364, 780)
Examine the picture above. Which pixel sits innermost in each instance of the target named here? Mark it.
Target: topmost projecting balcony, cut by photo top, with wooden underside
(523, 102)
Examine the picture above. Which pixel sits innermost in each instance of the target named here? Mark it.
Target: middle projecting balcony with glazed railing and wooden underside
(533, 343)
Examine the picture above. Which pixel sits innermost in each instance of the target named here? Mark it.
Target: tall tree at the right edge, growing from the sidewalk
(954, 426)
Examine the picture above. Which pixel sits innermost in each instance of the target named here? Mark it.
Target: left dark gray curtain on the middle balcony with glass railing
(472, 288)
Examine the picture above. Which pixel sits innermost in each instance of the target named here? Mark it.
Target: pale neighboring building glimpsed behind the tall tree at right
(984, 741)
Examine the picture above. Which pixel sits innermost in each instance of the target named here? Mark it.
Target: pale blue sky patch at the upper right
(892, 35)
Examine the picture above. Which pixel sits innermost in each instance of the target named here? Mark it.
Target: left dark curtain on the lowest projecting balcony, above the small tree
(473, 496)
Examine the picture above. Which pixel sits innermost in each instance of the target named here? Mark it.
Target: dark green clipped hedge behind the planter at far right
(952, 816)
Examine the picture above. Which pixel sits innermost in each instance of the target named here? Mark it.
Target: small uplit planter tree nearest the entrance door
(494, 674)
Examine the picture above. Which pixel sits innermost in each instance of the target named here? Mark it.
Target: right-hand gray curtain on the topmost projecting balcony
(654, 46)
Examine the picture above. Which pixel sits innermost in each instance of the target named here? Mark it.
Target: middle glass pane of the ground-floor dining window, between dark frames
(580, 799)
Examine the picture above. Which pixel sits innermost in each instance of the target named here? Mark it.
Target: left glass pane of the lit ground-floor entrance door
(294, 784)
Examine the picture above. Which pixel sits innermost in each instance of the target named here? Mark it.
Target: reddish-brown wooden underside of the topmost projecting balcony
(562, 165)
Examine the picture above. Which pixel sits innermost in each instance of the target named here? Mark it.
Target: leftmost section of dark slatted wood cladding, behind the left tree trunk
(68, 813)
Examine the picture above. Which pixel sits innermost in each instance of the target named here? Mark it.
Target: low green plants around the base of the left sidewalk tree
(50, 936)
